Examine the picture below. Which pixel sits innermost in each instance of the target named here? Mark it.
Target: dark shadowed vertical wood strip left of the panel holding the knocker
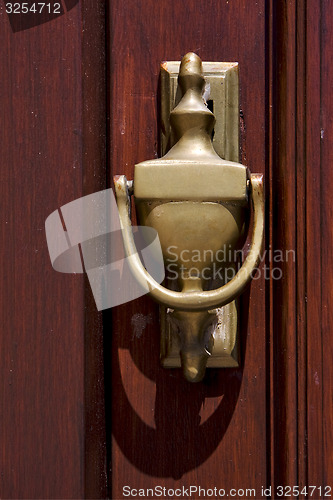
(94, 132)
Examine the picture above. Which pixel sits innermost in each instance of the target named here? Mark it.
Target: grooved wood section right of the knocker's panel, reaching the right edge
(302, 219)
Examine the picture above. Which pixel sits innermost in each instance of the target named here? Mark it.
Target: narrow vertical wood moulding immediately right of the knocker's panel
(284, 238)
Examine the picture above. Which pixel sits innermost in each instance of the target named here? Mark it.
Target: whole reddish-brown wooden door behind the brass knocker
(86, 408)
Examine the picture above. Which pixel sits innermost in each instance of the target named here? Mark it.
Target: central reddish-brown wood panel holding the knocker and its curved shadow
(166, 431)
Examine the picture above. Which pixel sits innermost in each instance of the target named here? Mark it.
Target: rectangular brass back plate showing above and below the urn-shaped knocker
(221, 93)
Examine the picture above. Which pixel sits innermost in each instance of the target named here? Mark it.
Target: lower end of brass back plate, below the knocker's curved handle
(224, 341)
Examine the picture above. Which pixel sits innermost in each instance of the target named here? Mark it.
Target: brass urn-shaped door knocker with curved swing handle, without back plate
(198, 204)
